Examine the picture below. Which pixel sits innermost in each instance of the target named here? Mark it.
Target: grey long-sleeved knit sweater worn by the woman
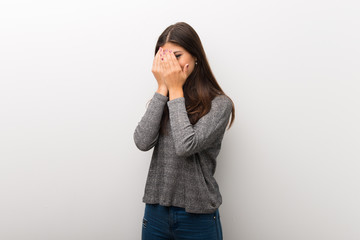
(183, 162)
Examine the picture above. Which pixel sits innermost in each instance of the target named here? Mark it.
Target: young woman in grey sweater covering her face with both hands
(185, 121)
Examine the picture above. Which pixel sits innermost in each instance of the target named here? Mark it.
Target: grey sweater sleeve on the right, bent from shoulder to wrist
(190, 139)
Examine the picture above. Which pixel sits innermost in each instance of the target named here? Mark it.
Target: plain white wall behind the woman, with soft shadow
(75, 77)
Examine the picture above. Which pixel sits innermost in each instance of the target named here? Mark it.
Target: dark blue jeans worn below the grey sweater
(173, 223)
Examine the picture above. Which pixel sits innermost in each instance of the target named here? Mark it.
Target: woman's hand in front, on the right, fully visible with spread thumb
(173, 76)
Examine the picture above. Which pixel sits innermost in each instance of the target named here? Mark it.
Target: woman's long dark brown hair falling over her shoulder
(201, 86)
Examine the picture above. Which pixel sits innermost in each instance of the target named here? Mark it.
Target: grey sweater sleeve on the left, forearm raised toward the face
(147, 131)
